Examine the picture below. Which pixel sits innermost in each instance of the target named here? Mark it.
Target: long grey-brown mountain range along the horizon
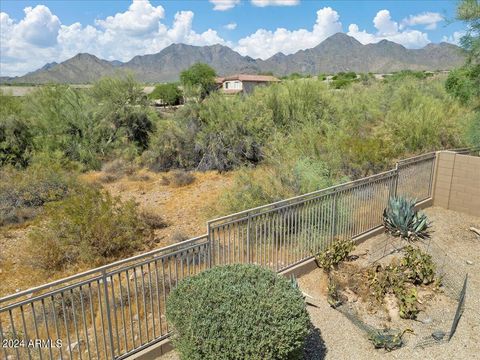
(339, 52)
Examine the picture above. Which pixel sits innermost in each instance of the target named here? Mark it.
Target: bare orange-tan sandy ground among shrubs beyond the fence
(184, 210)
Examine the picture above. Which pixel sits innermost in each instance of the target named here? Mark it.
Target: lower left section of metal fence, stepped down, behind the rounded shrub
(106, 313)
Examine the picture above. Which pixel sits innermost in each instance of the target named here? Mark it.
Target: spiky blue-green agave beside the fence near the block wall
(401, 219)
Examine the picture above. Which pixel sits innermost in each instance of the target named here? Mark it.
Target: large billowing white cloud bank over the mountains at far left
(40, 37)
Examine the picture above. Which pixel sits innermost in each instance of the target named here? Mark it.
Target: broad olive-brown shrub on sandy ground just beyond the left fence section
(90, 227)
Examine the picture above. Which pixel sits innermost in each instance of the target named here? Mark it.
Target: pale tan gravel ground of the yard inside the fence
(336, 337)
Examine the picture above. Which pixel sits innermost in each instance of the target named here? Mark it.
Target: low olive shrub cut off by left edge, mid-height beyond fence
(24, 192)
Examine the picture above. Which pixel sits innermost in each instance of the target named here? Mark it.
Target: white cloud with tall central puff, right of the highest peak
(388, 29)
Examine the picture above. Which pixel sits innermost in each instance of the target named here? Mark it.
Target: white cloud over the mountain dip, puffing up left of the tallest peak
(264, 43)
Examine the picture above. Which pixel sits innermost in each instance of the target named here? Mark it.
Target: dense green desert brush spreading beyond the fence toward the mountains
(297, 136)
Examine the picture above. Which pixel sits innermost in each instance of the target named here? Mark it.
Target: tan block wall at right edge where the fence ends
(457, 183)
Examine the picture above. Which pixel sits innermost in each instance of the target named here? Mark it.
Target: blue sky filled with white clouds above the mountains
(33, 33)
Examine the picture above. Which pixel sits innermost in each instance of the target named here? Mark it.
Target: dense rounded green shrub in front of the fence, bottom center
(238, 312)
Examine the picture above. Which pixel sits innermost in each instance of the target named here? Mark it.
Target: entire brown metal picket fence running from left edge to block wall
(116, 310)
